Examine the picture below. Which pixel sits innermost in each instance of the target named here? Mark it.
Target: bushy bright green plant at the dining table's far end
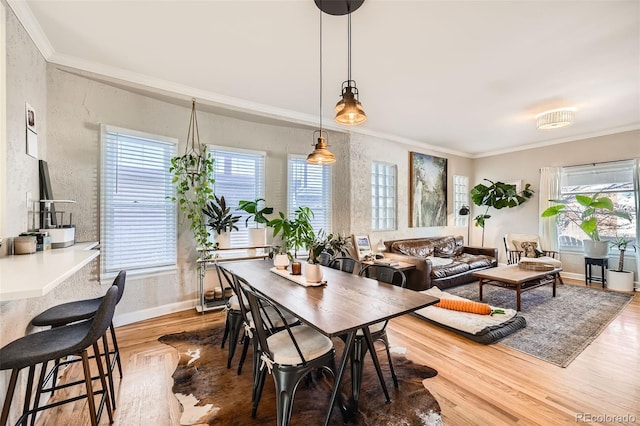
(295, 233)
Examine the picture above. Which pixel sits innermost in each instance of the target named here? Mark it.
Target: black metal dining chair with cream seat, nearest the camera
(290, 355)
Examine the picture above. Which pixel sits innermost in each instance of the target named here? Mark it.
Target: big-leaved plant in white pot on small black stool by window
(589, 213)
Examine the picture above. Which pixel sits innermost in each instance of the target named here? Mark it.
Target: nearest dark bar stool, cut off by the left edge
(53, 344)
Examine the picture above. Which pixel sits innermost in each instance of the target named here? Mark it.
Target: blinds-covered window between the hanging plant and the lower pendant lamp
(239, 175)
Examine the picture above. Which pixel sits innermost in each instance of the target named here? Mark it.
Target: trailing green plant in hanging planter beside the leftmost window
(193, 192)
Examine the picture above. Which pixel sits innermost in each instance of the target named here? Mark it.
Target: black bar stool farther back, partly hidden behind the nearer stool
(67, 313)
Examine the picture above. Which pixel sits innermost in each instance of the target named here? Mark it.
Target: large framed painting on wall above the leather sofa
(428, 190)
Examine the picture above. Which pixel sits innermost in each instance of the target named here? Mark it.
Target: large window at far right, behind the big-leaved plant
(613, 180)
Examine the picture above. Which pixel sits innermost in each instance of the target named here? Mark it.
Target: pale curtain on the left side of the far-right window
(549, 190)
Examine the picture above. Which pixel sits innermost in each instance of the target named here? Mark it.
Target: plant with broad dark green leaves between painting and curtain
(497, 195)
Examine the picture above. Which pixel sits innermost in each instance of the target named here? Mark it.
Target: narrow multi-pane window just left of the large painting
(383, 196)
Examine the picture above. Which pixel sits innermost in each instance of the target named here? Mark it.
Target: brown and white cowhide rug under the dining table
(211, 394)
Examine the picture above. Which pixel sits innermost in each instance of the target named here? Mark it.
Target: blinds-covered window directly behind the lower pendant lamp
(310, 186)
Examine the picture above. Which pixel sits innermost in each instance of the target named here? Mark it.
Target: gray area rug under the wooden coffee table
(558, 329)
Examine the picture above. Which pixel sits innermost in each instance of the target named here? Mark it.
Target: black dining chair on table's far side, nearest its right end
(390, 275)
